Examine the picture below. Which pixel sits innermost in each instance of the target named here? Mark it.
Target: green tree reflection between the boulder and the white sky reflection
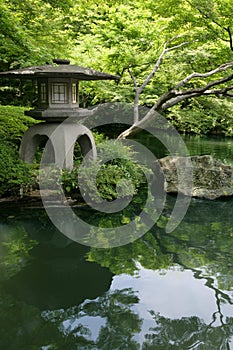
(204, 238)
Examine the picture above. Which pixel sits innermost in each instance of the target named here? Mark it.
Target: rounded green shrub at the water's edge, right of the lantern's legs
(110, 174)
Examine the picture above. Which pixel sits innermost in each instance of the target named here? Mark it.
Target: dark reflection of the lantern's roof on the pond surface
(59, 278)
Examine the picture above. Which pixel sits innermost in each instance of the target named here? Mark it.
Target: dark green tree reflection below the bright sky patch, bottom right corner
(188, 333)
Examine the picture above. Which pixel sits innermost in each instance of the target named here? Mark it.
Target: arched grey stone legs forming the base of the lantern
(60, 145)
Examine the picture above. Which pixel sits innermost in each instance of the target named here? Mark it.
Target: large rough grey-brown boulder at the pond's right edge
(198, 176)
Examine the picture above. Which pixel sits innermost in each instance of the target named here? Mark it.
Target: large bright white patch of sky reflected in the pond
(174, 294)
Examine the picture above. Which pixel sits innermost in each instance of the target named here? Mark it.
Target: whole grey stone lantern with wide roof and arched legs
(58, 105)
